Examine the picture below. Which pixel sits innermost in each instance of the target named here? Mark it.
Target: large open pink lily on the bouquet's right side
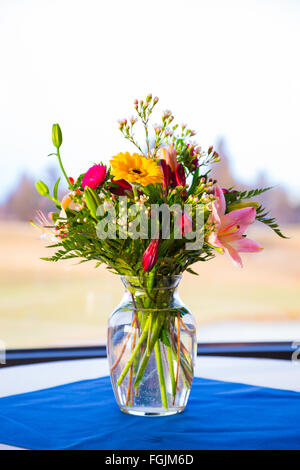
(230, 228)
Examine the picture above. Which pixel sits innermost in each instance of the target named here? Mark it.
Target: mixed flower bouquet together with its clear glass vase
(149, 216)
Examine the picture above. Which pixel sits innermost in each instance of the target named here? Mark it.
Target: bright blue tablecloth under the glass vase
(219, 415)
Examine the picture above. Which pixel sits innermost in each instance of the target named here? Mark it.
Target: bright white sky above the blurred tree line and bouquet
(227, 68)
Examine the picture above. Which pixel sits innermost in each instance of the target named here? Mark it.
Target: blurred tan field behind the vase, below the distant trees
(47, 304)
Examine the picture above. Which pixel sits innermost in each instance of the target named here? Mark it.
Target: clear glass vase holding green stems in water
(151, 347)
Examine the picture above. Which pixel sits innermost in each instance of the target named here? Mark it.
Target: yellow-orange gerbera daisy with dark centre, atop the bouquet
(136, 169)
